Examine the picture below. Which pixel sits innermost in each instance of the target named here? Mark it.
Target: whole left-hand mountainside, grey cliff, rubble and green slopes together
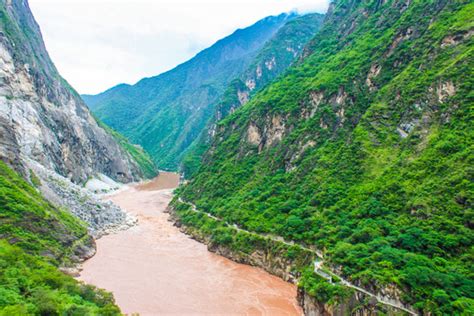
(50, 147)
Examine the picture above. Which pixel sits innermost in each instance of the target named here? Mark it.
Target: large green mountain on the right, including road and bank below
(360, 157)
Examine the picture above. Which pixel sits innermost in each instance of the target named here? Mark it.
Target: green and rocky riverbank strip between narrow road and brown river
(320, 290)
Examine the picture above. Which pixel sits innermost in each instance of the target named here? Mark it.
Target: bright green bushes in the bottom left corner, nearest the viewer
(31, 286)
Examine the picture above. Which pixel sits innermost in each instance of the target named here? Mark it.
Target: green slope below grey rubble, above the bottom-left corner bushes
(33, 224)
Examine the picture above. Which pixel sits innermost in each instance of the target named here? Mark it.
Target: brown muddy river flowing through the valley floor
(154, 269)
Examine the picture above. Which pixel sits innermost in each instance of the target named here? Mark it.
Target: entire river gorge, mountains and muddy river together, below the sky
(317, 164)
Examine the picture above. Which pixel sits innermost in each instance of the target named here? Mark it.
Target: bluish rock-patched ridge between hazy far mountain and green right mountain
(278, 53)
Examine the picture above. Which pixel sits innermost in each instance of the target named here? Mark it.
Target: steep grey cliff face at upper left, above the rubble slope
(41, 116)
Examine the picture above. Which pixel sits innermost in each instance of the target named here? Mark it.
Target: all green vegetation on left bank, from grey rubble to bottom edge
(43, 238)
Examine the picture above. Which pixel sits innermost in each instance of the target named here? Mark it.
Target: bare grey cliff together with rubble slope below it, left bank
(48, 134)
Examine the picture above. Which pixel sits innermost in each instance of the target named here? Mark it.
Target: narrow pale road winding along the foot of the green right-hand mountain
(327, 273)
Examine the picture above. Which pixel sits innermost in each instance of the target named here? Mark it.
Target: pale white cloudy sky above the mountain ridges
(97, 44)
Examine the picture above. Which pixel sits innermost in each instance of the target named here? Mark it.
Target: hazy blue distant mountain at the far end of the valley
(166, 113)
